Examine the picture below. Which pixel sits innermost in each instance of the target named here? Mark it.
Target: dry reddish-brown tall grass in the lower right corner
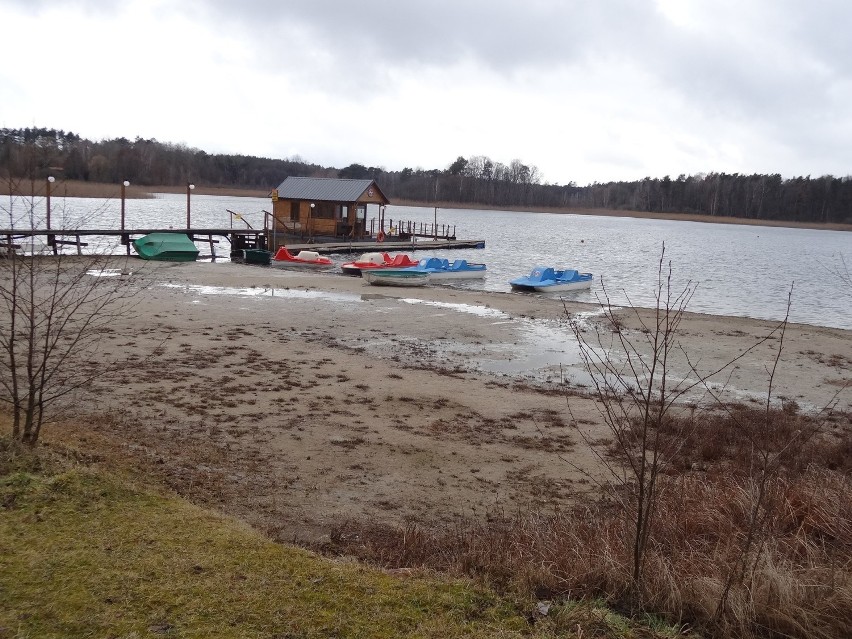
(793, 580)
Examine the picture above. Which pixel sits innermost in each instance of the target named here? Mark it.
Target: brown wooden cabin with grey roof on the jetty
(327, 207)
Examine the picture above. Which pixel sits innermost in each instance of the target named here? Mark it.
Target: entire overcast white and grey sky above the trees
(584, 90)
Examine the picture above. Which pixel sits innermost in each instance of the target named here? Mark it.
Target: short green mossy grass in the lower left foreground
(84, 556)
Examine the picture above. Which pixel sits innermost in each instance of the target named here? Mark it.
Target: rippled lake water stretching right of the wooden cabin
(738, 270)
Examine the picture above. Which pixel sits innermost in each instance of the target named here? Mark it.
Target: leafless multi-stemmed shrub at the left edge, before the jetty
(54, 311)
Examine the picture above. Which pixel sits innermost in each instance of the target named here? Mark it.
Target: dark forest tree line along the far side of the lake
(478, 180)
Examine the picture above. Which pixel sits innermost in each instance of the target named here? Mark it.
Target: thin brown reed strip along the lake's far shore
(76, 188)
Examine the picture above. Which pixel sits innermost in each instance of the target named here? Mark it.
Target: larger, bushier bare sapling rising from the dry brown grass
(637, 395)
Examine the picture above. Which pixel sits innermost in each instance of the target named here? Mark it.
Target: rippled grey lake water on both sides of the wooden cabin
(738, 270)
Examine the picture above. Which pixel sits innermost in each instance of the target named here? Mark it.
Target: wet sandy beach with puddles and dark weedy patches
(298, 401)
